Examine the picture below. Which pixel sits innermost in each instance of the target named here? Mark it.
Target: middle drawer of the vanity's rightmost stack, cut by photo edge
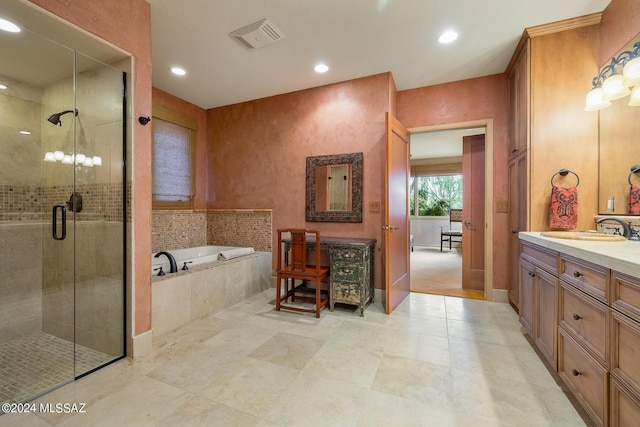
(625, 349)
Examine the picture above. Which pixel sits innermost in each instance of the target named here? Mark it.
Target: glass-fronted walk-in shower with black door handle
(62, 215)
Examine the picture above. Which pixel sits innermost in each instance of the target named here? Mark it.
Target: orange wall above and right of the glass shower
(127, 25)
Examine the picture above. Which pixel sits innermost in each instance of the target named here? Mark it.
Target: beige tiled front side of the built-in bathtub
(206, 288)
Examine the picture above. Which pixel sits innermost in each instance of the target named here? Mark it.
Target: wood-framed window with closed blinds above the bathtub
(173, 174)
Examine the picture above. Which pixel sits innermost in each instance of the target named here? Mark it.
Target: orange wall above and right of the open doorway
(468, 100)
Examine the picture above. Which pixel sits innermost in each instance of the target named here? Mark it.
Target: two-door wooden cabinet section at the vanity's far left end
(538, 298)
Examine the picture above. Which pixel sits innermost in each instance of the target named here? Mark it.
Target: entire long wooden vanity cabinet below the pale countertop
(597, 318)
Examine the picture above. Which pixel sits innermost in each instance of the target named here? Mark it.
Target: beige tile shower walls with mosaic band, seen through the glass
(38, 293)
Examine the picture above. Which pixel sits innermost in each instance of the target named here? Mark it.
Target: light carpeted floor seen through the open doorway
(435, 272)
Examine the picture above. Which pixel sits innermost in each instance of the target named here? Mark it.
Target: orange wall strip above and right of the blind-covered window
(178, 105)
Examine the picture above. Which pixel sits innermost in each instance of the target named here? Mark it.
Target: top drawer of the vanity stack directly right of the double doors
(587, 277)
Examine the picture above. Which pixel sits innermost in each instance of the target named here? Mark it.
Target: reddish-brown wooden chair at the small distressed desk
(295, 266)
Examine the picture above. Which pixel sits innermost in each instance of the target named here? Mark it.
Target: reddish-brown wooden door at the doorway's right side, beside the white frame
(473, 224)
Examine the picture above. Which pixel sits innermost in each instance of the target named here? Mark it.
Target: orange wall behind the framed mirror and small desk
(258, 151)
